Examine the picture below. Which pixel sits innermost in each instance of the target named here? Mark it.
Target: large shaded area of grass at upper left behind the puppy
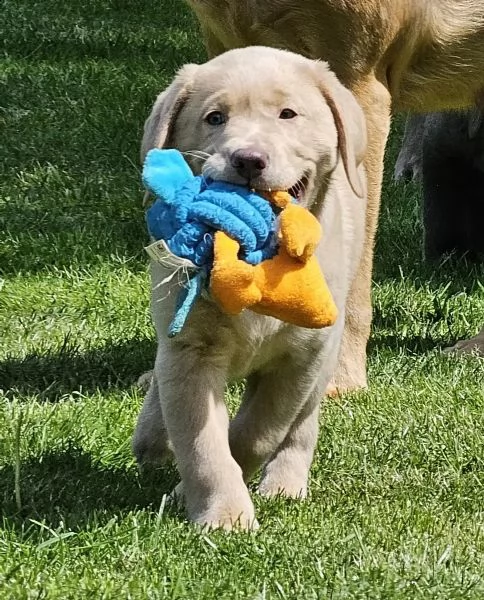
(79, 84)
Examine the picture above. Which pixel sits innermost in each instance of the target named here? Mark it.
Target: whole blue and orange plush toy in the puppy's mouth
(249, 251)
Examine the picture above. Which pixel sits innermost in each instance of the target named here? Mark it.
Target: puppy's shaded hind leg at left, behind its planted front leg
(150, 440)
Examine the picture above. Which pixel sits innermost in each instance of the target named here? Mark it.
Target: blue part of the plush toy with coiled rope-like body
(187, 212)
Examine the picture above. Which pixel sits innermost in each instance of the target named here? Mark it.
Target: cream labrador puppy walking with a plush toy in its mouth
(310, 131)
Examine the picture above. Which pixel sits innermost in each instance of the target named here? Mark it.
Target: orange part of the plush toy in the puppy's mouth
(290, 286)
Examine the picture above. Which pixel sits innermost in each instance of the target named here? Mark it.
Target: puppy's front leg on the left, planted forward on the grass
(191, 384)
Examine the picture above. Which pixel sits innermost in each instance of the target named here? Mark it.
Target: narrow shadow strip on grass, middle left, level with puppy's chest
(50, 377)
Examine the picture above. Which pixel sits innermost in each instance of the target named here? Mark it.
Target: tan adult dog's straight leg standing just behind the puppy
(351, 370)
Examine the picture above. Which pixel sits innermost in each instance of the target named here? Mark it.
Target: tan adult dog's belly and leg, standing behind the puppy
(416, 55)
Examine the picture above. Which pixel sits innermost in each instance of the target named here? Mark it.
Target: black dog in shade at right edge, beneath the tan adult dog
(446, 150)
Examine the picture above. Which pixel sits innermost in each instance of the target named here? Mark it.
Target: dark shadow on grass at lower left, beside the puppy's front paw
(71, 487)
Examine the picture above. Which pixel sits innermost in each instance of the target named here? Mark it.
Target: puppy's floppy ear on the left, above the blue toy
(159, 125)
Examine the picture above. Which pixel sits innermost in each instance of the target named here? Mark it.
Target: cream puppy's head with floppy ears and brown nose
(261, 117)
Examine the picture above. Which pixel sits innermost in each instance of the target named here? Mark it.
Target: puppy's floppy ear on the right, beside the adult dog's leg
(350, 125)
